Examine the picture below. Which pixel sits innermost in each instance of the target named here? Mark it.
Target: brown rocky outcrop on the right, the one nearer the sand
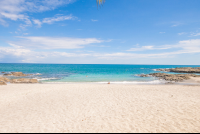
(173, 77)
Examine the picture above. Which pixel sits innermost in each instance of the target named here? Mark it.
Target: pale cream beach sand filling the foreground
(99, 108)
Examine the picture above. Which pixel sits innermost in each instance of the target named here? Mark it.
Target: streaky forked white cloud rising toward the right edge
(184, 47)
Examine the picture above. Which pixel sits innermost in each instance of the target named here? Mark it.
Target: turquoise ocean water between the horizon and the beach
(101, 73)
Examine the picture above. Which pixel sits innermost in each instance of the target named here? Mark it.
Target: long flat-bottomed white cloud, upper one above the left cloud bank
(54, 43)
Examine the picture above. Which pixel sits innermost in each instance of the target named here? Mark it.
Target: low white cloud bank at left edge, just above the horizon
(29, 56)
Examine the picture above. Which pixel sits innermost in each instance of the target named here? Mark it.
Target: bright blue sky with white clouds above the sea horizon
(120, 32)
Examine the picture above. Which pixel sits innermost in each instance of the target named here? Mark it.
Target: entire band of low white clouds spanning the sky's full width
(25, 54)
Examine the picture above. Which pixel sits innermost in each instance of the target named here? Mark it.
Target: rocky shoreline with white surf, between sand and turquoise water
(159, 78)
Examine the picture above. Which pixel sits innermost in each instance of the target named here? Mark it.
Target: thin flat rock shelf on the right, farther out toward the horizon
(182, 70)
